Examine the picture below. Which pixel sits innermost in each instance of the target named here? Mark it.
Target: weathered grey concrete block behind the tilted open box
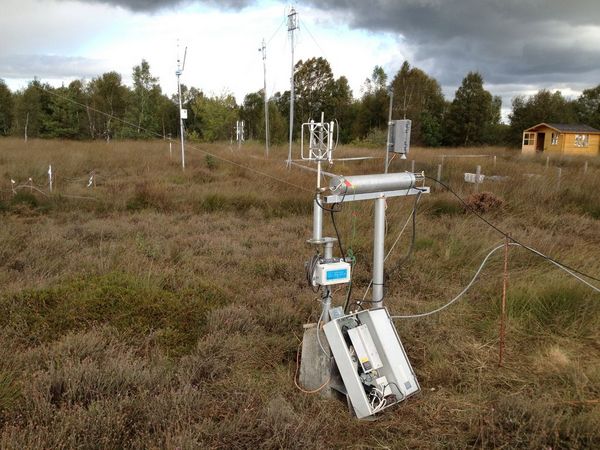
(315, 366)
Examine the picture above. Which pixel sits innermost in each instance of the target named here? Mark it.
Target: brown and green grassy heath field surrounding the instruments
(164, 309)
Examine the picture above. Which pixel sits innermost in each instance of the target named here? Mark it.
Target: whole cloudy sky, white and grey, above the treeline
(519, 46)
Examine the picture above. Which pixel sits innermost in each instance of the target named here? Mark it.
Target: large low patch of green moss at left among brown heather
(117, 299)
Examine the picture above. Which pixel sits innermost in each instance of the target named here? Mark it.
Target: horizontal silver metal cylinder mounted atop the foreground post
(366, 184)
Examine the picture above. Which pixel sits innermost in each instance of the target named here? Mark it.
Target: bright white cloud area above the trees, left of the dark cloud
(222, 44)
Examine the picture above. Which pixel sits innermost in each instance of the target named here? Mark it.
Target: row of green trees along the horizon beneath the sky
(105, 108)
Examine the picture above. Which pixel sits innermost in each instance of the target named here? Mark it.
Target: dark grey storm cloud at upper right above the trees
(508, 41)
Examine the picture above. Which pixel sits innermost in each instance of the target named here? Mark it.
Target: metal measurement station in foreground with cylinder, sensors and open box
(371, 367)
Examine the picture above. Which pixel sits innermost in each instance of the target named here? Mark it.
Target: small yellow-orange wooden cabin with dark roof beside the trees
(560, 138)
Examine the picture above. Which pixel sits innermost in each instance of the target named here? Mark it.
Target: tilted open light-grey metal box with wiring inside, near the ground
(370, 336)
